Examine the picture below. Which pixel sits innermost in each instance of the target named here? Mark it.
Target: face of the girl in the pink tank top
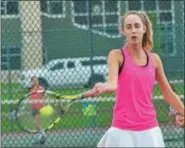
(133, 29)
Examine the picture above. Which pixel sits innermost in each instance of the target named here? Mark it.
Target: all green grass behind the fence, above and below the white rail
(75, 118)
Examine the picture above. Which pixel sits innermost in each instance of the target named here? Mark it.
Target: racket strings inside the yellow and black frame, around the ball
(28, 113)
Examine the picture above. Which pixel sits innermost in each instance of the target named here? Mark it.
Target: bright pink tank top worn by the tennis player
(134, 109)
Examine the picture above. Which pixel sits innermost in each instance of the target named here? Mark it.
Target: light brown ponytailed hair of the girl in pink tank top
(147, 42)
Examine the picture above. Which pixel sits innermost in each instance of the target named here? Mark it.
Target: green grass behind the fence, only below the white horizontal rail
(74, 118)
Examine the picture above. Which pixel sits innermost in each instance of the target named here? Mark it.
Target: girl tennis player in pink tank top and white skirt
(132, 73)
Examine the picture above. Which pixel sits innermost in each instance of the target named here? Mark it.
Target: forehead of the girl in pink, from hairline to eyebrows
(132, 19)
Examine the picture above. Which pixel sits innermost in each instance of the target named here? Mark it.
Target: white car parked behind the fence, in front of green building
(68, 72)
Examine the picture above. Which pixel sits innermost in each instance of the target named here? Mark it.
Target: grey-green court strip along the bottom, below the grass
(87, 137)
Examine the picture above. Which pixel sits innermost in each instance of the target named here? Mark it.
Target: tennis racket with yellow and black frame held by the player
(29, 117)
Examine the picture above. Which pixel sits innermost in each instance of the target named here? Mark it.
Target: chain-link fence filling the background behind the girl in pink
(65, 44)
